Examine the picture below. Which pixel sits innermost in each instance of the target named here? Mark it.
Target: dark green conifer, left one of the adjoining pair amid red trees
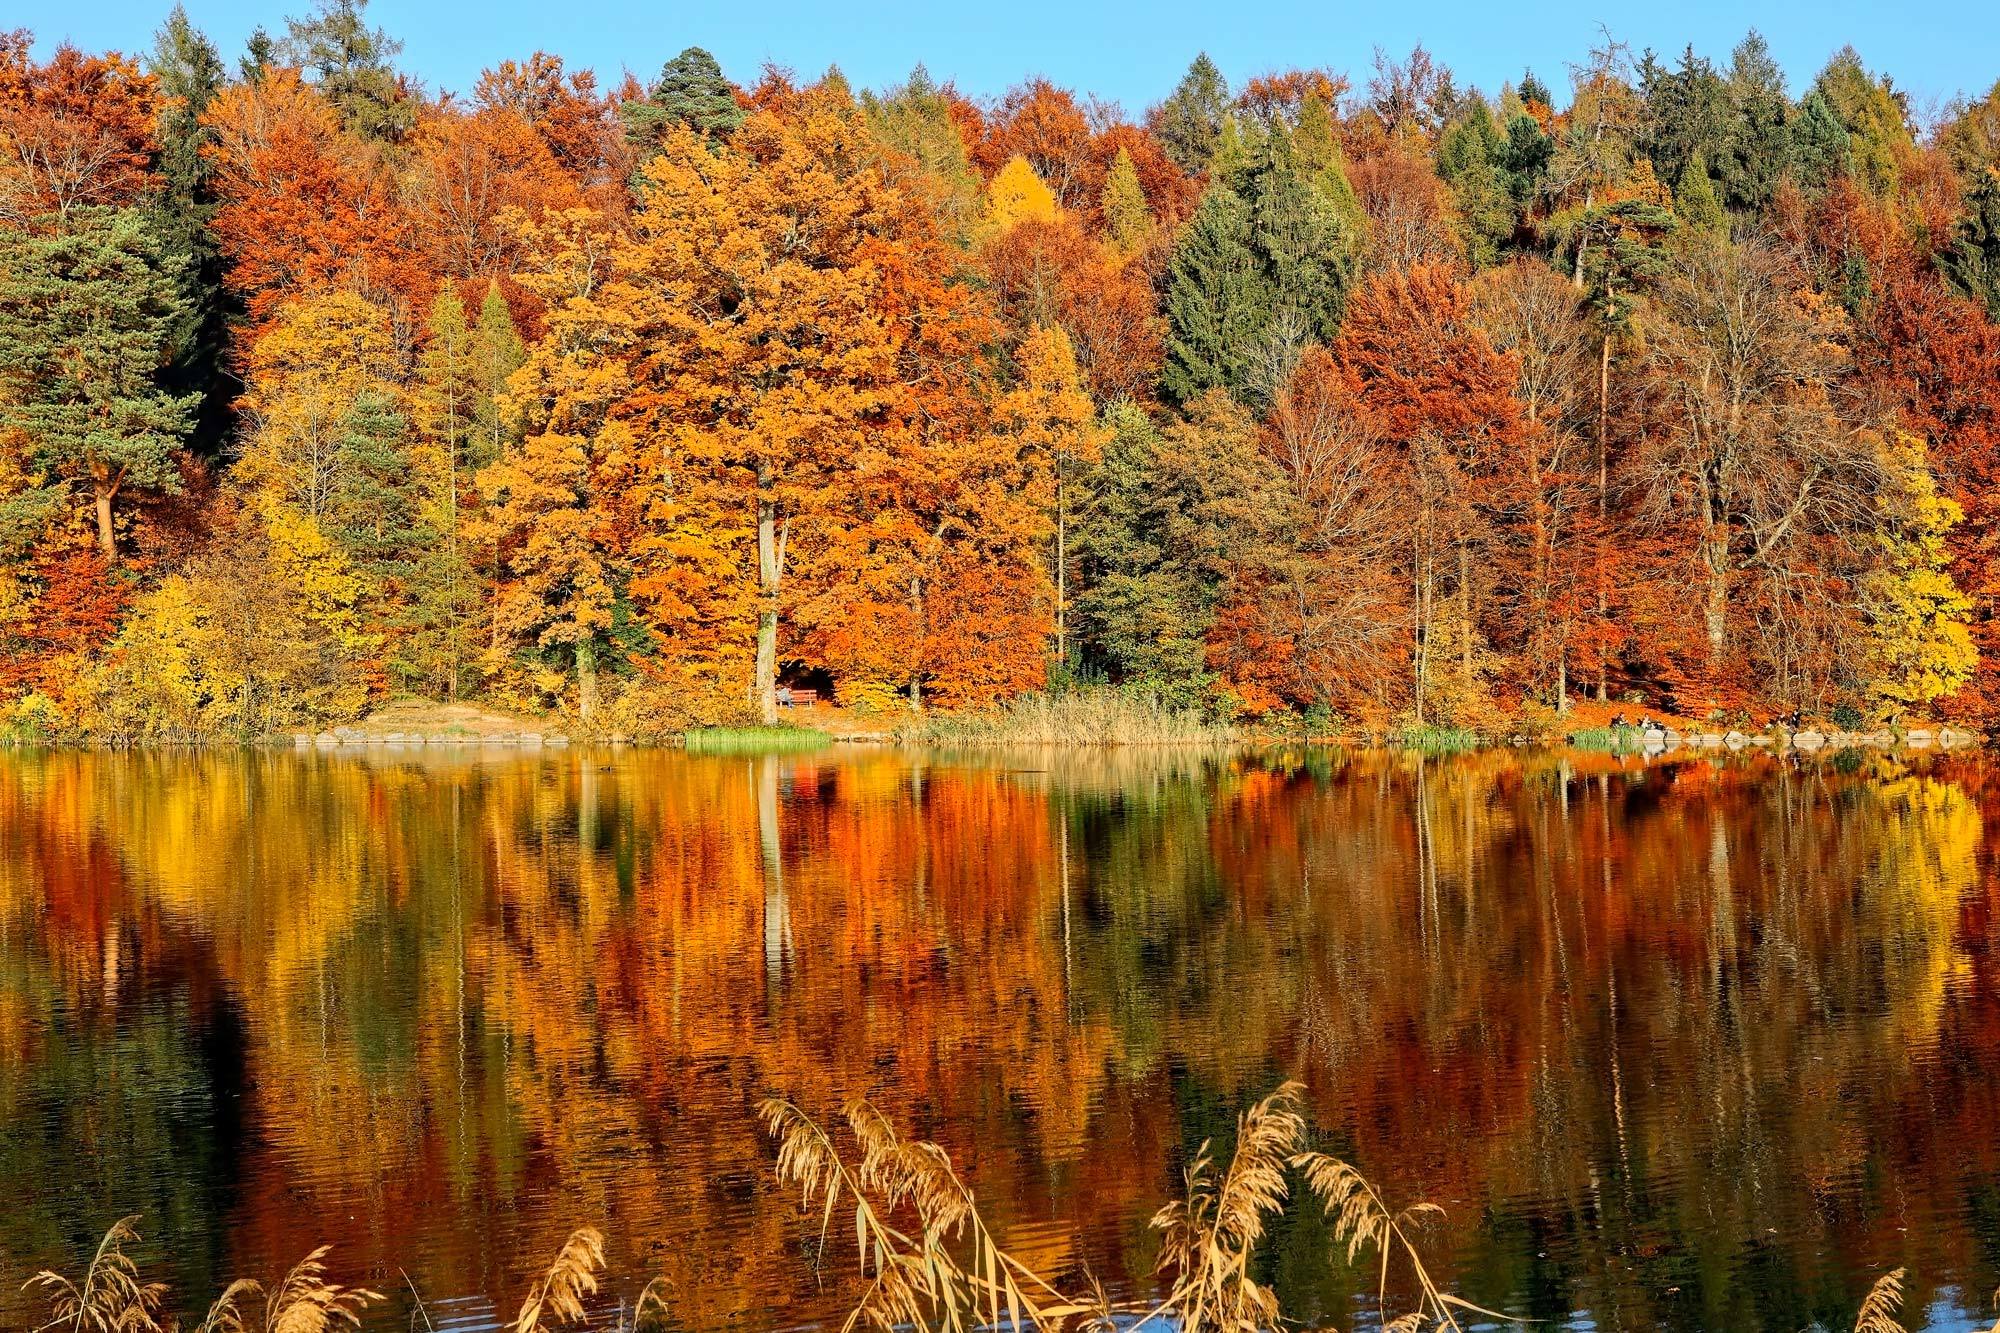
(1217, 301)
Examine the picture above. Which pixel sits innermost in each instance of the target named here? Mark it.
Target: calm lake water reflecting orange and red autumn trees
(1683, 1046)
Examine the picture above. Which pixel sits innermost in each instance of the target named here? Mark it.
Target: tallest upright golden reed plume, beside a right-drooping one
(1213, 1232)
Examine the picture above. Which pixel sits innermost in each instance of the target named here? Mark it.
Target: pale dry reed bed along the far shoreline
(1073, 718)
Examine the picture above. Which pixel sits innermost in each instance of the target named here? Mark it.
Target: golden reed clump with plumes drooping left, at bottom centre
(913, 1274)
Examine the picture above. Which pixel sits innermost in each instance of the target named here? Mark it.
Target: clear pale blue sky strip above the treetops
(1125, 53)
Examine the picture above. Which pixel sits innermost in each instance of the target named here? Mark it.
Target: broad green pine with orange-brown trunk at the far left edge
(87, 323)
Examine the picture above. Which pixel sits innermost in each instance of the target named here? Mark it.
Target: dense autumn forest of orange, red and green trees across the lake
(1667, 379)
